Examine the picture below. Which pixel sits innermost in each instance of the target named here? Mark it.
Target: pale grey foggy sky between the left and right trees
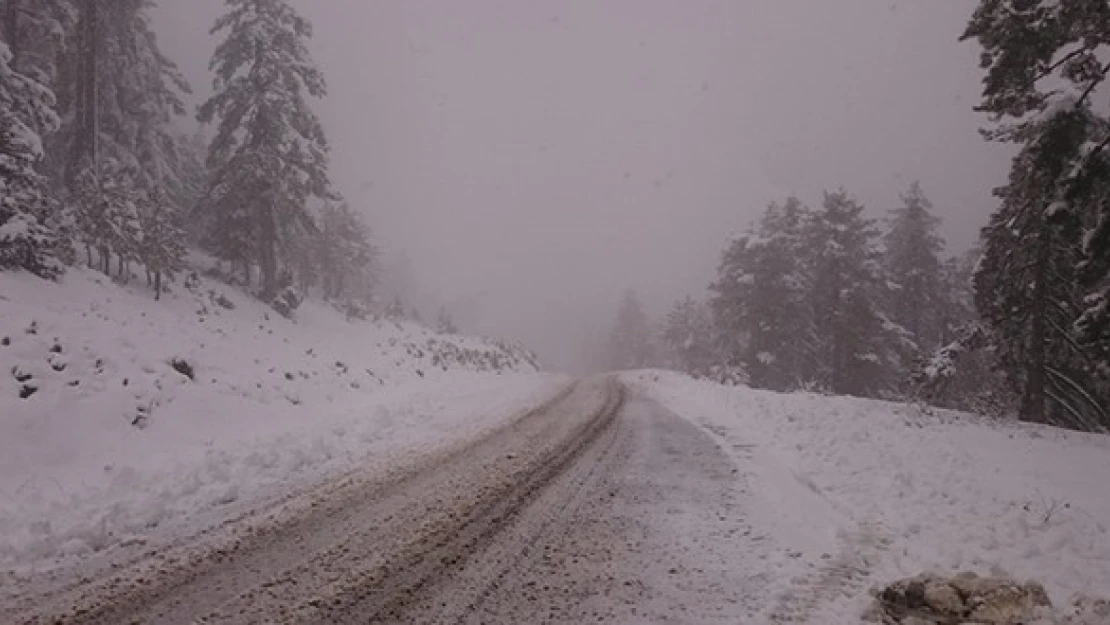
(537, 159)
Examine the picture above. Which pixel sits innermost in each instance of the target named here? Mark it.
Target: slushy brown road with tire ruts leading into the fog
(600, 507)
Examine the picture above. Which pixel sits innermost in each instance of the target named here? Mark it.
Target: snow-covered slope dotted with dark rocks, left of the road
(123, 418)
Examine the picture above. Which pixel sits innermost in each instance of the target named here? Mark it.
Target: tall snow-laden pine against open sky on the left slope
(270, 154)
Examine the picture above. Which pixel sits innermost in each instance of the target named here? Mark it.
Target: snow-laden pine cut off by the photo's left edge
(27, 110)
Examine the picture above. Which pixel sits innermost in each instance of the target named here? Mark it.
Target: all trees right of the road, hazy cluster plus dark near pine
(824, 299)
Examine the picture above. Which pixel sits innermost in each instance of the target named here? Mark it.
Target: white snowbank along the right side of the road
(851, 493)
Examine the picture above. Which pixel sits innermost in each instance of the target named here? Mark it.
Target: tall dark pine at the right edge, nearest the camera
(1045, 63)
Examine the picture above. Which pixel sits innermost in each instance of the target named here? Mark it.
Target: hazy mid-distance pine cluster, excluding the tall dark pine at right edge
(826, 300)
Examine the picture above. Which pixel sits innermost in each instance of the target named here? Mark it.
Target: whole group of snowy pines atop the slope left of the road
(95, 167)
